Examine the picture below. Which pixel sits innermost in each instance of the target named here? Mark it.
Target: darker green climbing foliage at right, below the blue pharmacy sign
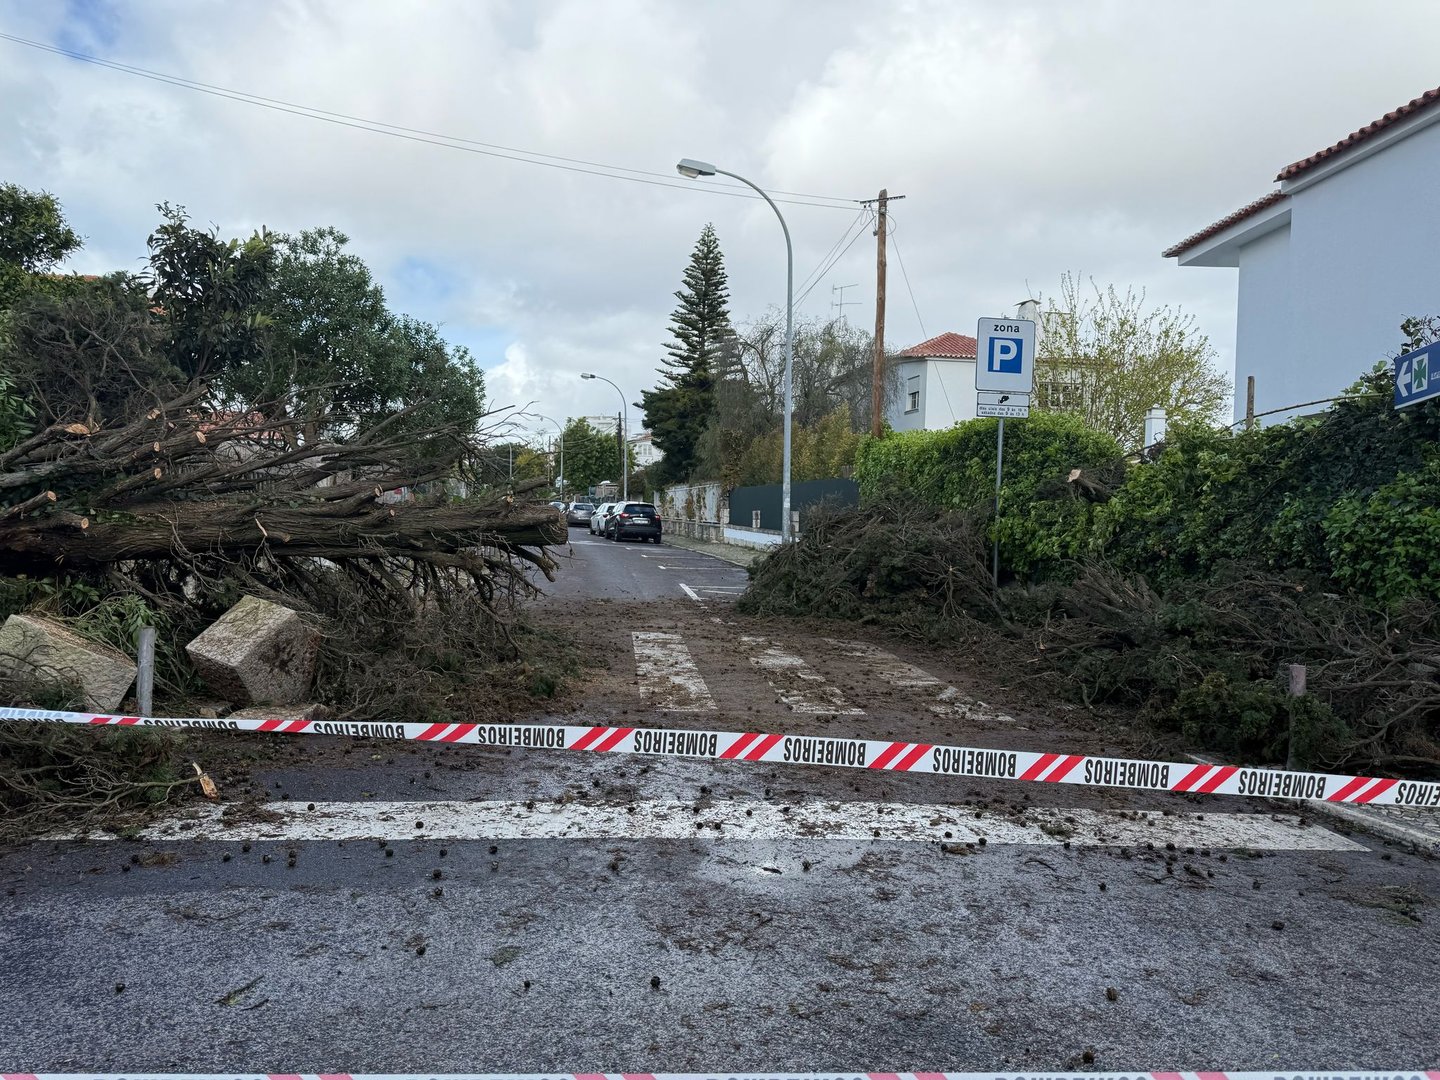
(1349, 498)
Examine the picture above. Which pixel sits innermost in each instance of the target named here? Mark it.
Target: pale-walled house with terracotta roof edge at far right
(1333, 260)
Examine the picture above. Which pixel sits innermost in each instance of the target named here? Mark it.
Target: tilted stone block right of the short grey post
(257, 653)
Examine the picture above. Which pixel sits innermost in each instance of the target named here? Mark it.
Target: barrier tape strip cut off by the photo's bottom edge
(1272, 1075)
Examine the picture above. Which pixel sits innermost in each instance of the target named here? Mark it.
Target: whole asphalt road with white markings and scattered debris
(490, 911)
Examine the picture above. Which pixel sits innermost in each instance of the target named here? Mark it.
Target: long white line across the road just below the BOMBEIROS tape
(737, 820)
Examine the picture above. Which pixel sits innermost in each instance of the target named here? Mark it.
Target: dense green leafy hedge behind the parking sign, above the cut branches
(1349, 498)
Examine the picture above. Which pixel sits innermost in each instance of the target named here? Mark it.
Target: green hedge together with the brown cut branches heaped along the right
(1180, 584)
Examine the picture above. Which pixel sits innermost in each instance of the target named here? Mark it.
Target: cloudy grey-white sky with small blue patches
(1029, 139)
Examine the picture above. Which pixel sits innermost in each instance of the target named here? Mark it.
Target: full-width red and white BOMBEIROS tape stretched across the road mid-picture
(849, 754)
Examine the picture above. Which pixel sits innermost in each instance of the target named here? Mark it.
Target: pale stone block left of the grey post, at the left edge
(35, 650)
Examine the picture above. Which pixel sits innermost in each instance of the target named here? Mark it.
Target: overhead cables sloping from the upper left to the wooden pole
(431, 138)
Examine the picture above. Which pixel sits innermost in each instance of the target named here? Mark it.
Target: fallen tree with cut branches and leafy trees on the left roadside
(248, 417)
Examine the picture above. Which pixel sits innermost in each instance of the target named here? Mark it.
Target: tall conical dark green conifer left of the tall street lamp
(679, 411)
